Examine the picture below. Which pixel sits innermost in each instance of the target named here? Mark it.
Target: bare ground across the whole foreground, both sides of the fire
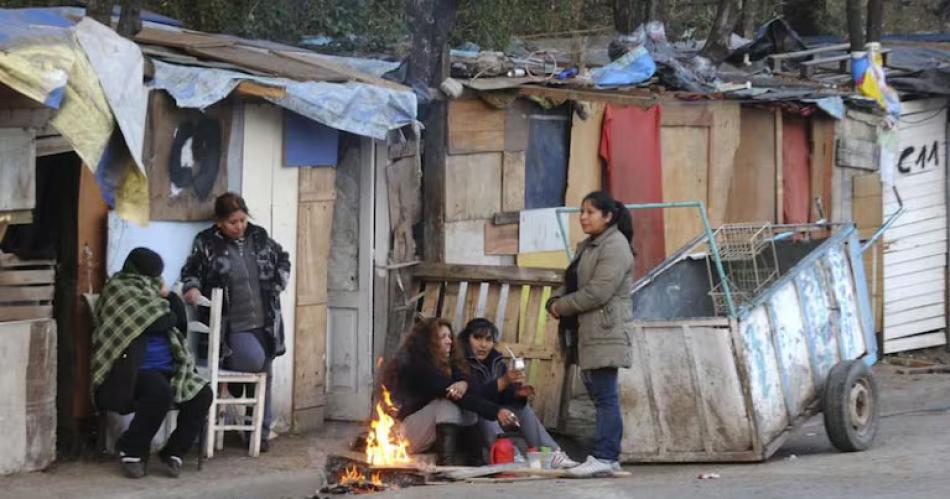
(909, 459)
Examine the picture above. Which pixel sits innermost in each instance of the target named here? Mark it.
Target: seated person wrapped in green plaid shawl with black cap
(141, 364)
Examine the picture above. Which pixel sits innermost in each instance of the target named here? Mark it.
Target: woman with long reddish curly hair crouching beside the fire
(429, 387)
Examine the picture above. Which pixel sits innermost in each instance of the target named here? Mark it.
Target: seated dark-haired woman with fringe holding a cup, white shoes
(491, 379)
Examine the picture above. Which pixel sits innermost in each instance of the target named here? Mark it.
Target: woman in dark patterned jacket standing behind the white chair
(253, 270)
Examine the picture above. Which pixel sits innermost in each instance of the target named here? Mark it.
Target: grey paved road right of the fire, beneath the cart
(910, 459)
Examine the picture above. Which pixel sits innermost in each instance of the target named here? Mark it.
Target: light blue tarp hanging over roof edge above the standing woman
(357, 108)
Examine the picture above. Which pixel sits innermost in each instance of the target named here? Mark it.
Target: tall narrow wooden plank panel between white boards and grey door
(314, 222)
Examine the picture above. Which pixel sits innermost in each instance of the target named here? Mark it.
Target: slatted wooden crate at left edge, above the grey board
(26, 288)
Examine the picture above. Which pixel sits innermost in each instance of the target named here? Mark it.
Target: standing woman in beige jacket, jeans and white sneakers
(595, 313)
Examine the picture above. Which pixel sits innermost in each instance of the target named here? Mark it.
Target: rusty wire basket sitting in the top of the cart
(747, 252)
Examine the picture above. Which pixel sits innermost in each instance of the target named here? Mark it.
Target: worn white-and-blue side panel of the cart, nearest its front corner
(765, 383)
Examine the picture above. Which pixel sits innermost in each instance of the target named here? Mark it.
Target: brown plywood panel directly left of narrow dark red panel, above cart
(752, 195)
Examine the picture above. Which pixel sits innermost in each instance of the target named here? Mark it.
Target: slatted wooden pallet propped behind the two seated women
(514, 299)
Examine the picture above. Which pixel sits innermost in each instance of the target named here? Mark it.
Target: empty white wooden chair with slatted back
(218, 378)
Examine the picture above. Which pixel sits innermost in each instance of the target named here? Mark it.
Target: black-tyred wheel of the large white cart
(850, 406)
